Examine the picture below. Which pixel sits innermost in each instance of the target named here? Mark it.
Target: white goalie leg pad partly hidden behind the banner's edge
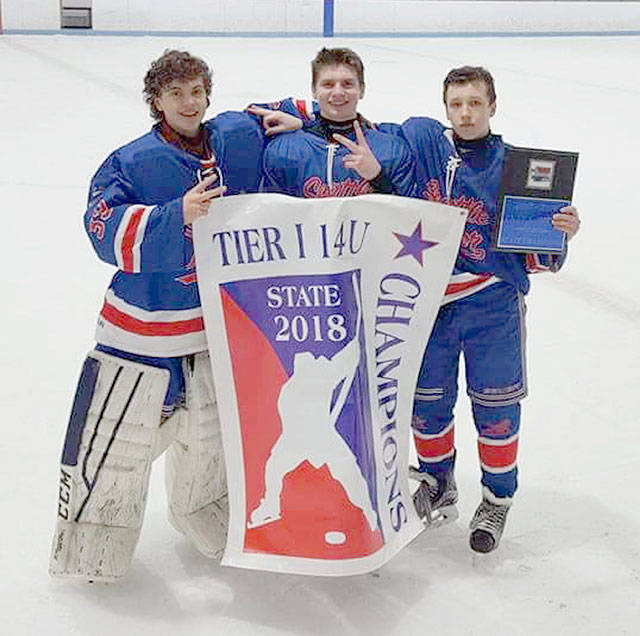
(195, 475)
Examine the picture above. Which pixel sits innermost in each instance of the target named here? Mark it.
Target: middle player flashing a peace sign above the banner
(338, 153)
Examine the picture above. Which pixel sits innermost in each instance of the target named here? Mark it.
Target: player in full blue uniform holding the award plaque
(482, 313)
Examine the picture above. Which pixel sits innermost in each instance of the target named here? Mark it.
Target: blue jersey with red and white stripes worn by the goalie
(134, 220)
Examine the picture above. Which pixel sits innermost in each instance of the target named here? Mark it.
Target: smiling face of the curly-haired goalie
(183, 104)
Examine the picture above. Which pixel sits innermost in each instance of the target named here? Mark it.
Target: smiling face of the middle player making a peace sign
(337, 90)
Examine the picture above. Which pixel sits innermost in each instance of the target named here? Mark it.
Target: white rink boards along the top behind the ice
(351, 16)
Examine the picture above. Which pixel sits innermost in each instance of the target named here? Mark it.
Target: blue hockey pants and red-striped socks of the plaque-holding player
(488, 329)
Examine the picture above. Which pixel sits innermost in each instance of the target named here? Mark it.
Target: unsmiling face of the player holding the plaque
(469, 109)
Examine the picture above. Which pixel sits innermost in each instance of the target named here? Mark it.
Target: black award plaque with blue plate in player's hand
(535, 185)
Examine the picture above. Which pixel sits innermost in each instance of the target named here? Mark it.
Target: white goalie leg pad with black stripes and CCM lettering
(111, 440)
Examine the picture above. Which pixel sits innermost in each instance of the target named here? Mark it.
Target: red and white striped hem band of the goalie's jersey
(154, 333)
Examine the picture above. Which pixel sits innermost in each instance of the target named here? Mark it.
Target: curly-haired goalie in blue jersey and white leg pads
(148, 383)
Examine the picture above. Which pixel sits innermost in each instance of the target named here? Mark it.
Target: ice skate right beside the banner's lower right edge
(435, 499)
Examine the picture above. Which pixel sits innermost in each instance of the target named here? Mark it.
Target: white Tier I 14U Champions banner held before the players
(317, 313)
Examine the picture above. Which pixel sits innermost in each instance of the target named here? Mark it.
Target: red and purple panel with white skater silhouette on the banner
(318, 500)
